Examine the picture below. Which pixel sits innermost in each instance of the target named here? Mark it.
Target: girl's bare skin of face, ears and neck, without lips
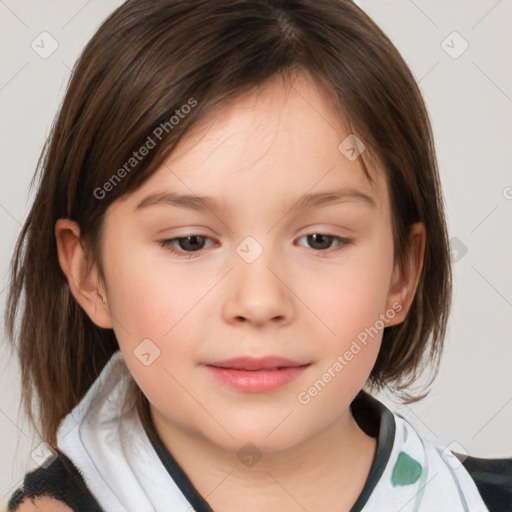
(257, 156)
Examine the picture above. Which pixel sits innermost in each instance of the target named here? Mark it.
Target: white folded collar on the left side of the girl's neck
(109, 446)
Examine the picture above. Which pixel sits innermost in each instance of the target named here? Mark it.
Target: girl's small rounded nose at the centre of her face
(258, 293)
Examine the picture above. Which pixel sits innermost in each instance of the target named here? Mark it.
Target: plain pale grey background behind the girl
(469, 96)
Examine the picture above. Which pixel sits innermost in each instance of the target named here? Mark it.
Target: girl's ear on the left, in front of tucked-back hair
(86, 287)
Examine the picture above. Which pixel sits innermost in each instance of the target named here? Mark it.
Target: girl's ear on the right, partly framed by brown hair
(404, 281)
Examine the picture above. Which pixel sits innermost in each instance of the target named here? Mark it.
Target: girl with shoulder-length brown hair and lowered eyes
(238, 234)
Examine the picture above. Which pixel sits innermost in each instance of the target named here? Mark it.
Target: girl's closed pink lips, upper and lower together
(256, 374)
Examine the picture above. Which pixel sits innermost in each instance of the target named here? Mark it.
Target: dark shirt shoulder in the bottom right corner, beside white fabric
(493, 479)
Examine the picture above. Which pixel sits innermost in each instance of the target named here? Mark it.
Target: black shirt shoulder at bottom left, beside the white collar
(61, 480)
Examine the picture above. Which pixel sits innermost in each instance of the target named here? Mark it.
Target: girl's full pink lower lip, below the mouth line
(258, 381)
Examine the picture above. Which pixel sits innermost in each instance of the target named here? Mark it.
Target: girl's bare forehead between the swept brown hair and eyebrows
(282, 137)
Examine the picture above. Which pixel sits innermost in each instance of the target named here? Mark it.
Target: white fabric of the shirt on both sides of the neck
(124, 472)
